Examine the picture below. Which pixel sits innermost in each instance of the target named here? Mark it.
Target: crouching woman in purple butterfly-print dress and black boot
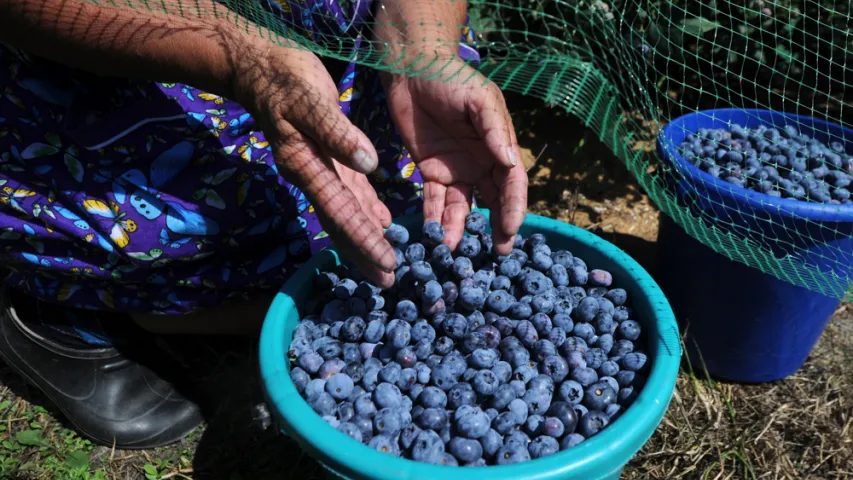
(170, 171)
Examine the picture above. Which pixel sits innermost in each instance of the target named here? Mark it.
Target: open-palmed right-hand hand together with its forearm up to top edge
(453, 120)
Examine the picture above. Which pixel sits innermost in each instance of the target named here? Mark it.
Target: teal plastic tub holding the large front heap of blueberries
(601, 457)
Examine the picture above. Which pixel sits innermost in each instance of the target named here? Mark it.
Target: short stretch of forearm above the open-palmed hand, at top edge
(420, 28)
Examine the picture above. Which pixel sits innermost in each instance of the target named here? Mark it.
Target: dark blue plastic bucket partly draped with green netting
(745, 325)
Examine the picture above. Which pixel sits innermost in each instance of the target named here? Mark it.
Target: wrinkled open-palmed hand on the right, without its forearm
(460, 134)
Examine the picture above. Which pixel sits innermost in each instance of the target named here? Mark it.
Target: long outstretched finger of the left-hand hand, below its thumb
(338, 209)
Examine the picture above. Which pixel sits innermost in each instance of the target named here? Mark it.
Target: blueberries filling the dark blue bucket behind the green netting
(778, 162)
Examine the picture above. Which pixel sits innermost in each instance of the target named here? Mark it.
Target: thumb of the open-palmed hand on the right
(490, 117)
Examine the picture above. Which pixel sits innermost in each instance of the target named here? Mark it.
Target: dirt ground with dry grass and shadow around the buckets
(799, 428)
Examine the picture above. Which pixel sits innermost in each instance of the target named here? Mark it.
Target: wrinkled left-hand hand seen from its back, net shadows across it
(318, 149)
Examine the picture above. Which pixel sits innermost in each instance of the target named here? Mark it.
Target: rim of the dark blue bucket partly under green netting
(668, 152)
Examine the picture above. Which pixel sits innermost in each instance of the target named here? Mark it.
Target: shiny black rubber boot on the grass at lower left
(107, 396)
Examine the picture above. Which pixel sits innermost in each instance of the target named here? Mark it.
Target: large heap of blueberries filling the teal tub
(471, 358)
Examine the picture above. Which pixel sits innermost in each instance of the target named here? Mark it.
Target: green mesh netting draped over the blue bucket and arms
(627, 68)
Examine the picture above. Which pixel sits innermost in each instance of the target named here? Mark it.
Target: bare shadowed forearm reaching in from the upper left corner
(135, 43)
